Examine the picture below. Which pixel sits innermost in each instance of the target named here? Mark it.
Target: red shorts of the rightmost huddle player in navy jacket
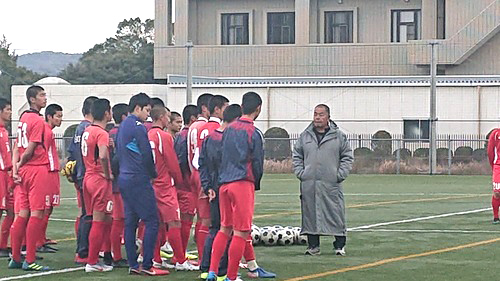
(236, 205)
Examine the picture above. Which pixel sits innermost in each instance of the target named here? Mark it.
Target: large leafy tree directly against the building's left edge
(125, 58)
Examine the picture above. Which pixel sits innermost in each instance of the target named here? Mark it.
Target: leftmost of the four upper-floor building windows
(235, 29)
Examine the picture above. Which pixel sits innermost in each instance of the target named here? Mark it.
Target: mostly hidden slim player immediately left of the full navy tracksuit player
(120, 112)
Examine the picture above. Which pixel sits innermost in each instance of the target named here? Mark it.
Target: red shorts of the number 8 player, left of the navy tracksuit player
(97, 194)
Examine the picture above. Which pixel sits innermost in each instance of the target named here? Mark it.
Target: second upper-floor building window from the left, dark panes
(281, 28)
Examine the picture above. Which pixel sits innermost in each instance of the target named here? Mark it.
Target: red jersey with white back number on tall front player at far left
(31, 129)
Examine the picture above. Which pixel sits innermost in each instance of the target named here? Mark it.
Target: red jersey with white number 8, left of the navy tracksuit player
(93, 137)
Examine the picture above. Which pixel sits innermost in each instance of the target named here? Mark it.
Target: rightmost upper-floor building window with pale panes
(405, 25)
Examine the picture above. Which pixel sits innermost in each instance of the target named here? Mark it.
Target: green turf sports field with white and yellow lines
(401, 228)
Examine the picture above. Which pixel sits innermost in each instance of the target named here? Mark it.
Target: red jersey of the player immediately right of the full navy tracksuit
(165, 158)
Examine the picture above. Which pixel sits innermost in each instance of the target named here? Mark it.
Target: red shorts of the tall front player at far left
(34, 194)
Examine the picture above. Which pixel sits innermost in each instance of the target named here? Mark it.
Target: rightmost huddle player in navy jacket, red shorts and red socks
(239, 175)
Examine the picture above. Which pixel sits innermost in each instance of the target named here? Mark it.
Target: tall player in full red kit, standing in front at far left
(32, 173)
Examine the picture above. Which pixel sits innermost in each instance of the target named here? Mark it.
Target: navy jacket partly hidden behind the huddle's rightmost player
(210, 160)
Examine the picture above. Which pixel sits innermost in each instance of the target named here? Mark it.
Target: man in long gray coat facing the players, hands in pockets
(322, 160)
